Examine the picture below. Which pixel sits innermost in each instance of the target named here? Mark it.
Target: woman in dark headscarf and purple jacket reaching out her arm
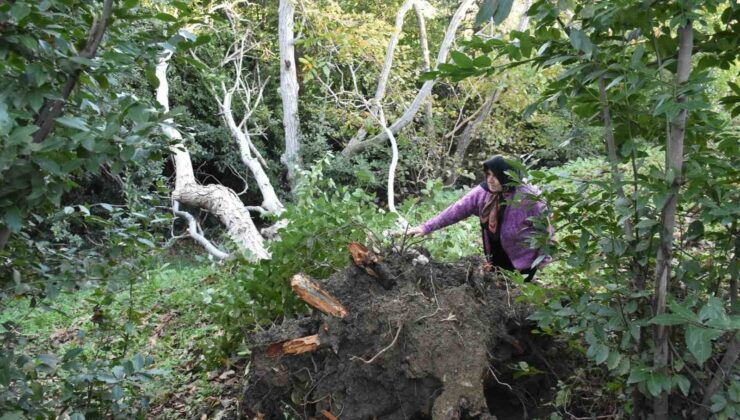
(505, 212)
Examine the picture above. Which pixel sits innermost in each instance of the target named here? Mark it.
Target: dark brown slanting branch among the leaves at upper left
(52, 109)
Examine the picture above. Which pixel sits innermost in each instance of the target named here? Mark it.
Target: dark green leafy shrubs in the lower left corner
(99, 379)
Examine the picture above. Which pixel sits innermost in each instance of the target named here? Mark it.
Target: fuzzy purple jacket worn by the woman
(515, 229)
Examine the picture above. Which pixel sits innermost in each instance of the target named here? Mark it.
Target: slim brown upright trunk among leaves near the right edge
(674, 164)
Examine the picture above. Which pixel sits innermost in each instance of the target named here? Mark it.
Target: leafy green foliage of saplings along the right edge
(623, 52)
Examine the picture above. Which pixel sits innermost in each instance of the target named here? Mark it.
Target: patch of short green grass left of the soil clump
(163, 316)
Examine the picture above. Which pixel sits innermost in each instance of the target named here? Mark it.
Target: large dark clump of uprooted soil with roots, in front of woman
(446, 341)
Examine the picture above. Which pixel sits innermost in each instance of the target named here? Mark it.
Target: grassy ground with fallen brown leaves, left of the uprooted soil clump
(169, 323)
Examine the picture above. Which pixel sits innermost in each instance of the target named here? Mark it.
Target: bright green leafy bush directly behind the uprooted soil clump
(324, 220)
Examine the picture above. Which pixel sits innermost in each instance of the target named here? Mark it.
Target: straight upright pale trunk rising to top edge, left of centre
(289, 91)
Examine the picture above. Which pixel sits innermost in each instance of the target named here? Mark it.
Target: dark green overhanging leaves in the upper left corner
(40, 57)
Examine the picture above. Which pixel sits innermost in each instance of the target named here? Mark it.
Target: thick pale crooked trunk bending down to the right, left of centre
(216, 199)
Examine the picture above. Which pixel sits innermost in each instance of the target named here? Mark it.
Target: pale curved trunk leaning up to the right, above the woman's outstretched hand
(355, 147)
